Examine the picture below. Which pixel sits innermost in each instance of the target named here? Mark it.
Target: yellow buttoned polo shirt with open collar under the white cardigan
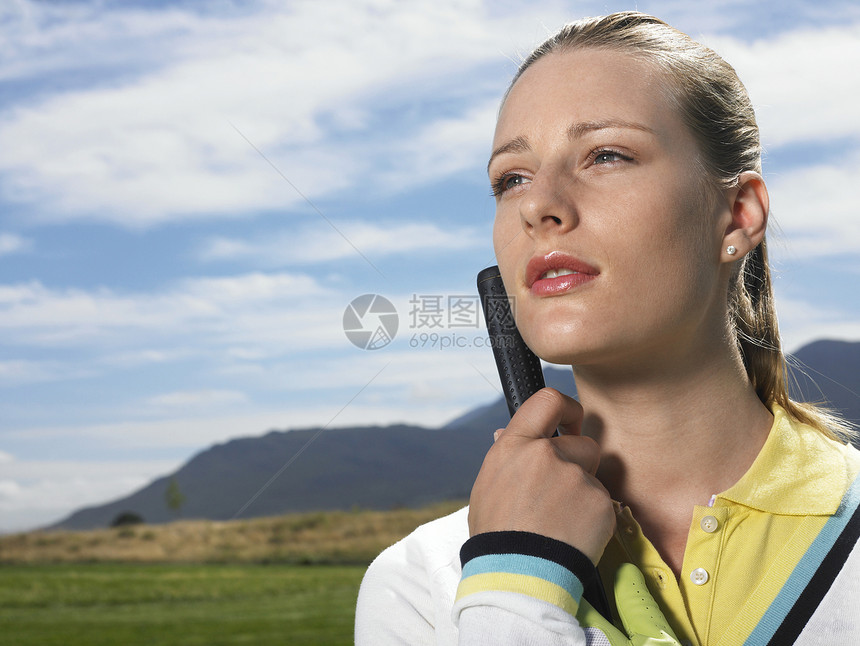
(742, 548)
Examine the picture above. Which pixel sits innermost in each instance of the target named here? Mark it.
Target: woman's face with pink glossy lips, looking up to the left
(607, 239)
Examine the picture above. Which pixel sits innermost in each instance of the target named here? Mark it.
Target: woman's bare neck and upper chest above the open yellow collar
(671, 437)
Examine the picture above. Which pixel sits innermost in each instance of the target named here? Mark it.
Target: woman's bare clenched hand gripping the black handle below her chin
(533, 482)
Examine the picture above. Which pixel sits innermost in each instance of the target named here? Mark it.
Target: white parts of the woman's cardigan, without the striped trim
(408, 597)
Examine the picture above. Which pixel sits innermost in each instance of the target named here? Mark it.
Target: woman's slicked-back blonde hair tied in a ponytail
(716, 107)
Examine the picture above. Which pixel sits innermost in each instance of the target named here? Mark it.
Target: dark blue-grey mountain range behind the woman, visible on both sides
(392, 466)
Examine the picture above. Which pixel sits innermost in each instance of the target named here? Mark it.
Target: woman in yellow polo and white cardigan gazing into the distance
(630, 233)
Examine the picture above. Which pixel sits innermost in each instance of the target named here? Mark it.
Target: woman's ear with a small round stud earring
(749, 204)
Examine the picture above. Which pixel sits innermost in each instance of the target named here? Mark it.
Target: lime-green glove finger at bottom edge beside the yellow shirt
(640, 615)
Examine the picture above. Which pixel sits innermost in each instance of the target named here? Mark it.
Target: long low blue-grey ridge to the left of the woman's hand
(371, 467)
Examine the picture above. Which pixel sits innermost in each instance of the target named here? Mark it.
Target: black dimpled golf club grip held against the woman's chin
(520, 373)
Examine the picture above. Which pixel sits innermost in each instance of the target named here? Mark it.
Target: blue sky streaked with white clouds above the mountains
(191, 193)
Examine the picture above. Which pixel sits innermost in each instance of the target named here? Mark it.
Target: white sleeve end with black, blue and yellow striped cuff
(520, 588)
